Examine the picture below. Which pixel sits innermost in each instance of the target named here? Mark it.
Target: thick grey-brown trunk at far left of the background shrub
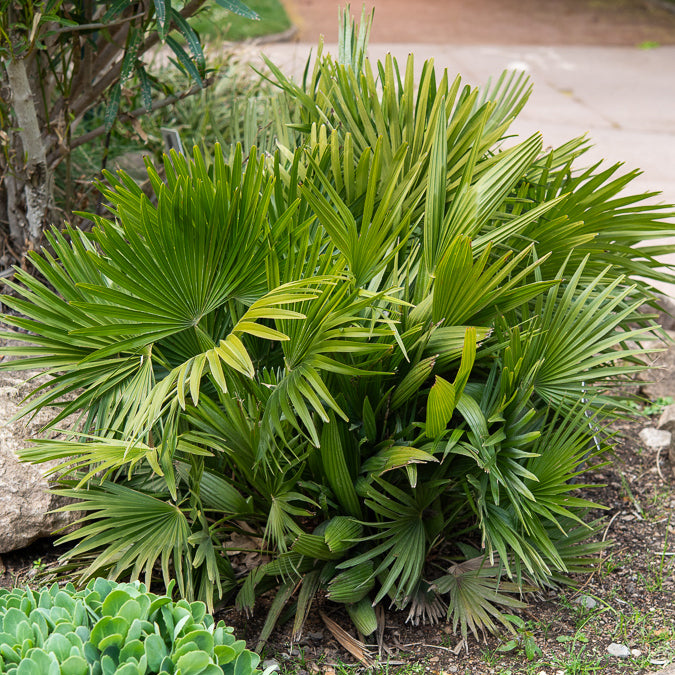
(31, 182)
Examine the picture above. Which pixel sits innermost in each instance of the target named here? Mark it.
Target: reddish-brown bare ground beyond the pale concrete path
(497, 22)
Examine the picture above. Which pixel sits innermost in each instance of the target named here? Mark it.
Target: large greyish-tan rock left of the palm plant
(24, 499)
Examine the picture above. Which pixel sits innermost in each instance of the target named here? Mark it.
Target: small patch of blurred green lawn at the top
(216, 23)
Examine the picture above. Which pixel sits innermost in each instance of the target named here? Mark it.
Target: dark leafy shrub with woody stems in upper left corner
(65, 76)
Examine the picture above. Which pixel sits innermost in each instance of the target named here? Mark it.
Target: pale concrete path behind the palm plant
(622, 97)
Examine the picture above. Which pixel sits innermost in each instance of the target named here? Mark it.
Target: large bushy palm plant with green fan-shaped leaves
(375, 352)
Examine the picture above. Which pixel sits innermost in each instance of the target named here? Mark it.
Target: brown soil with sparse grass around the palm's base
(632, 587)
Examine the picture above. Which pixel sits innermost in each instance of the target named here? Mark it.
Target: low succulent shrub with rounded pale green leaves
(113, 628)
